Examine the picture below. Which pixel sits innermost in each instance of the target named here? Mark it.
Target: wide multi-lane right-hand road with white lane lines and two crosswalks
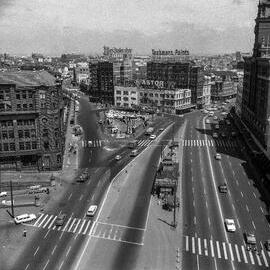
(207, 244)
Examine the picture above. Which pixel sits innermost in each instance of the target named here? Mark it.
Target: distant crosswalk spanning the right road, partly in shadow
(217, 143)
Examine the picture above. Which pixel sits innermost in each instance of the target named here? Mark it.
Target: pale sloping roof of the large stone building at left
(27, 78)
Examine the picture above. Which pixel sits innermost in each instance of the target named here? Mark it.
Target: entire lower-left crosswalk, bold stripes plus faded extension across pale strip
(83, 226)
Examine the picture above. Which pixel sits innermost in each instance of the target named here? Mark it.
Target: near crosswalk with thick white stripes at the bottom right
(226, 251)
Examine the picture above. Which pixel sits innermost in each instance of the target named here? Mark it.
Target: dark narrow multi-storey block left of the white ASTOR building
(101, 87)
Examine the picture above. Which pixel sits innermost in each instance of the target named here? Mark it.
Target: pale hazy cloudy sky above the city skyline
(53, 27)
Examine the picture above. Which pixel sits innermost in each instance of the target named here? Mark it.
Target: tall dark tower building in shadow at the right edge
(255, 109)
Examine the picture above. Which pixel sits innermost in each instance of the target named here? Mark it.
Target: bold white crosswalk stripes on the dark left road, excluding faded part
(73, 225)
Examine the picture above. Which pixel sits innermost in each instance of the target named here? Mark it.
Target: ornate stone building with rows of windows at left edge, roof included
(31, 121)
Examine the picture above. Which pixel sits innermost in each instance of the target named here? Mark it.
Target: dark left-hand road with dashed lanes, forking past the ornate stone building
(56, 248)
